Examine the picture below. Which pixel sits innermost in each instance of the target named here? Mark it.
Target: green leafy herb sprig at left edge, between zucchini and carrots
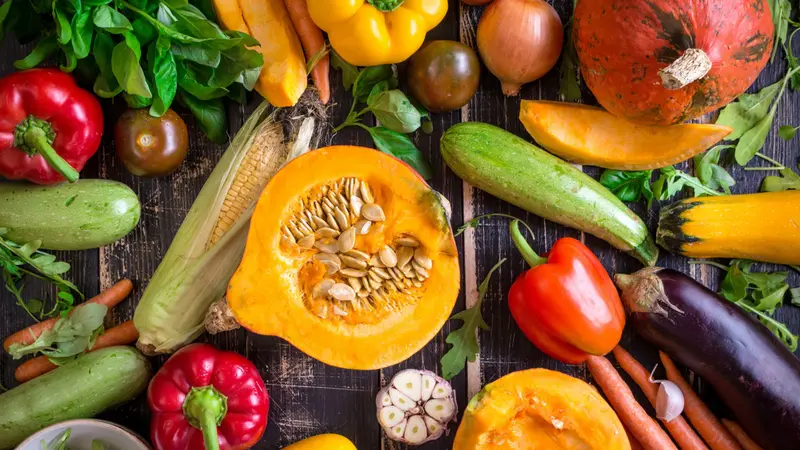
(22, 262)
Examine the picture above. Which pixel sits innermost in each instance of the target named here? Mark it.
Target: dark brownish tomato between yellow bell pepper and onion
(444, 75)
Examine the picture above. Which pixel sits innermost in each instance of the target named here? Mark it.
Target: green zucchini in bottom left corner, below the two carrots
(79, 389)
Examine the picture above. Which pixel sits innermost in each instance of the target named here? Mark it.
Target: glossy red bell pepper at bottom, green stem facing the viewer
(204, 398)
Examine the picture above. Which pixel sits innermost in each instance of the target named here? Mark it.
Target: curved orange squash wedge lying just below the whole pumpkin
(591, 136)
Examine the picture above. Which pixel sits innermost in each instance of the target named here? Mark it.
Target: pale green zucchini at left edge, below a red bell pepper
(77, 216)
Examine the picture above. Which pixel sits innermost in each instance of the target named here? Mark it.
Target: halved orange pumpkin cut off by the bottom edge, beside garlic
(540, 408)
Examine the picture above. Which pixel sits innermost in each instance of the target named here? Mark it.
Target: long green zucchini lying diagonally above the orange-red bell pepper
(524, 175)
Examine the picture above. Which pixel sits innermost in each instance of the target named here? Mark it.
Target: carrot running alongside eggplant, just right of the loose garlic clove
(704, 421)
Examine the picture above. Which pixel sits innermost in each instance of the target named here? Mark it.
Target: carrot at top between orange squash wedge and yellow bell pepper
(313, 43)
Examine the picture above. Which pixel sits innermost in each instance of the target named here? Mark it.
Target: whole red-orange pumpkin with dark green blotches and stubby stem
(663, 62)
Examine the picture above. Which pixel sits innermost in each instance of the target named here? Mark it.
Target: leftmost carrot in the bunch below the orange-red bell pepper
(643, 428)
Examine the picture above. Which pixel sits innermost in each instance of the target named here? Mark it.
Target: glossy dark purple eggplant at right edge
(752, 371)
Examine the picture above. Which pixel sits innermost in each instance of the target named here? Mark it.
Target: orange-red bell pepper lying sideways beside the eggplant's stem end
(566, 304)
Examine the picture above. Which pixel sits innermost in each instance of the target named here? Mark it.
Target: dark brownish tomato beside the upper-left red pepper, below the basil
(151, 146)
